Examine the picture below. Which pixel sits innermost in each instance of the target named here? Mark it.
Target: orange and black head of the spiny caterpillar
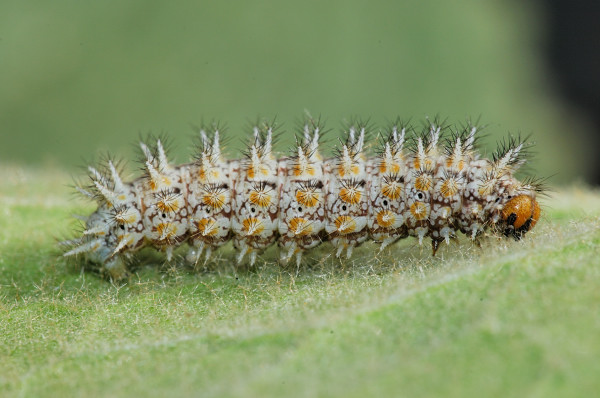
(519, 215)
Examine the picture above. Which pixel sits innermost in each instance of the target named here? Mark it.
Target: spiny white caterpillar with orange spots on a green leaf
(421, 182)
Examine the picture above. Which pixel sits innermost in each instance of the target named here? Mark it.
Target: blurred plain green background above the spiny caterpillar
(81, 77)
